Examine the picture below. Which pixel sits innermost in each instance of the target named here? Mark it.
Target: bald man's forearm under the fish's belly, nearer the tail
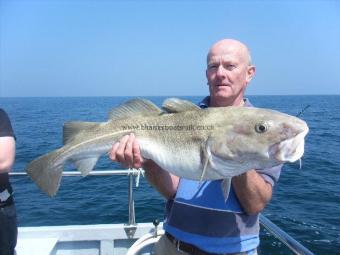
(165, 183)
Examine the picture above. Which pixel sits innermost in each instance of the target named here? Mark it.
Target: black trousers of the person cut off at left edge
(8, 230)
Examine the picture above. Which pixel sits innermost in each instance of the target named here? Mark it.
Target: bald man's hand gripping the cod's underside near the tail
(127, 152)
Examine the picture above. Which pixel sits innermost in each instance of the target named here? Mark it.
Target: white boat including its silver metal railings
(130, 238)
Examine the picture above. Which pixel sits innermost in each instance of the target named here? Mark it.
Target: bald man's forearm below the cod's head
(252, 191)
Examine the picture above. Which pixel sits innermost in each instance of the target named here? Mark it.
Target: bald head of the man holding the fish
(229, 70)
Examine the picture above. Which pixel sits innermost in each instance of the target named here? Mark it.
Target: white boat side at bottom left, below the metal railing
(105, 239)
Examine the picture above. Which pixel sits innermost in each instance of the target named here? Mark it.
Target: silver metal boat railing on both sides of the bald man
(292, 244)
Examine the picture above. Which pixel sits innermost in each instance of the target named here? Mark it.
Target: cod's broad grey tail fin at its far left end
(46, 175)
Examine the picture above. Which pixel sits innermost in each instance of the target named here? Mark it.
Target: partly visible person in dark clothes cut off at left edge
(8, 225)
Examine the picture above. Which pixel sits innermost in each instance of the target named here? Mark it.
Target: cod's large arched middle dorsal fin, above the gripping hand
(133, 108)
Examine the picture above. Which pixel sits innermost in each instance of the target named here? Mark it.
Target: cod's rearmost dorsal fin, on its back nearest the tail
(72, 128)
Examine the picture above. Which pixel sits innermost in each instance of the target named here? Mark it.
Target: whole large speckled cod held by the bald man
(183, 139)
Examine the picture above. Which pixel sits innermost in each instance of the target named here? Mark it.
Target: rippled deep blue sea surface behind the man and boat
(306, 201)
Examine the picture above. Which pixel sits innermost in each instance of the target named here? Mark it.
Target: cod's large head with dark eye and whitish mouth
(255, 138)
